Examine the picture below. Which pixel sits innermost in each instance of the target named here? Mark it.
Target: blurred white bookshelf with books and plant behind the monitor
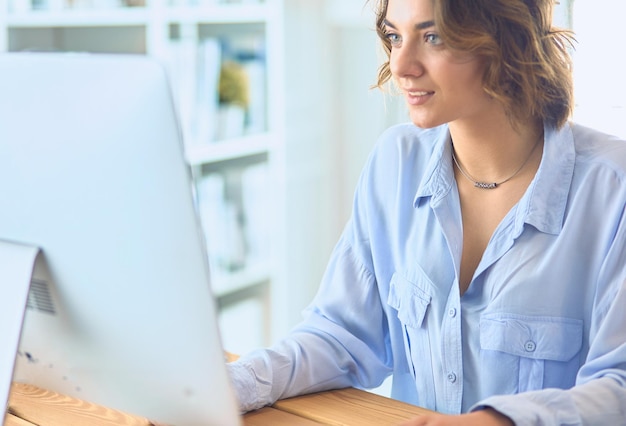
(232, 128)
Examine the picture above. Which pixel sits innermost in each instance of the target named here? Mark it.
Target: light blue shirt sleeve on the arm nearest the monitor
(335, 346)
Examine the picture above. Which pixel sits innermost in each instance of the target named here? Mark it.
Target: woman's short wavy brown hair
(528, 64)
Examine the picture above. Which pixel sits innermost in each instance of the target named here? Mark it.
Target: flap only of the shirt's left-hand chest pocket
(410, 301)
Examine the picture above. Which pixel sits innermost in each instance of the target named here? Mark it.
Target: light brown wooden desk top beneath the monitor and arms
(32, 406)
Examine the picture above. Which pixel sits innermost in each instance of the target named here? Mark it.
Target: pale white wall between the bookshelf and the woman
(333, 119)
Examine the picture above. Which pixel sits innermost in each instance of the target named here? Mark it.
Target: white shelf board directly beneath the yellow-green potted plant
(231, 149)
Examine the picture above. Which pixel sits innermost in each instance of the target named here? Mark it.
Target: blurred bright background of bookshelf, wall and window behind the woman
(278, 117)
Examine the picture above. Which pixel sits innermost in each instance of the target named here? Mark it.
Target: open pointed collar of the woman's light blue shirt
(544, 203)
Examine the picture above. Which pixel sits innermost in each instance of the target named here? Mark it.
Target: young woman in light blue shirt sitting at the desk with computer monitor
(484, 265)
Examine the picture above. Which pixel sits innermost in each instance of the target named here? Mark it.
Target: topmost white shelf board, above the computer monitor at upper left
(113, 17)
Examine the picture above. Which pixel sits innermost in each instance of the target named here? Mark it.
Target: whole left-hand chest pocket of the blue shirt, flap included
(412, 301)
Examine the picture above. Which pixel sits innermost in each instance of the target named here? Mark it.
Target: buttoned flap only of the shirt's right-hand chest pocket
(549, 338)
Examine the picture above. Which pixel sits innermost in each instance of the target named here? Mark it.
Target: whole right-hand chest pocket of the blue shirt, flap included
(538, 352)
